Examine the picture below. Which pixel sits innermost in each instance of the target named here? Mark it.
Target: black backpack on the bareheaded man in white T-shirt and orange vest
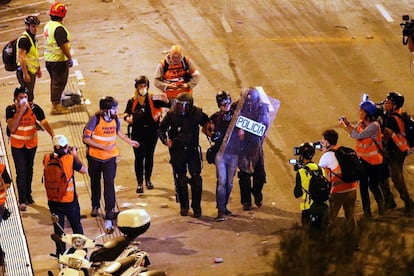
(351, 166)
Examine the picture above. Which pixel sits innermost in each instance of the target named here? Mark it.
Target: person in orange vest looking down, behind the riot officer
(176, 73)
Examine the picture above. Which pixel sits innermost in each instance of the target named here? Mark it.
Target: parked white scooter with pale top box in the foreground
(119, 256)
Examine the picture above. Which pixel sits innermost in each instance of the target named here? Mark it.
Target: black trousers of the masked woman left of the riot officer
(144, 157)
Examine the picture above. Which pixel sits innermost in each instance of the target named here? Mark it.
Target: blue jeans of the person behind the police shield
(225, 170)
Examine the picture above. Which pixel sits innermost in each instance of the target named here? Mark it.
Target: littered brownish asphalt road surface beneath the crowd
(316, 57)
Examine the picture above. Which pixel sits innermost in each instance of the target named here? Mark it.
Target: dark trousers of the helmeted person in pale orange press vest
(106, 169)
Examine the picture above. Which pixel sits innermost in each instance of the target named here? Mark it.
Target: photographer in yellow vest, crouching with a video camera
(314, 216)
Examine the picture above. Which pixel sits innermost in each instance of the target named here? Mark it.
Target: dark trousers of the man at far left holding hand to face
(23, 162)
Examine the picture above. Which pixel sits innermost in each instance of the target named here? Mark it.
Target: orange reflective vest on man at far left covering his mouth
(26, 133)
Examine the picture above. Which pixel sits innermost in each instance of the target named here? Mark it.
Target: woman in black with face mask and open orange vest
(142, 113)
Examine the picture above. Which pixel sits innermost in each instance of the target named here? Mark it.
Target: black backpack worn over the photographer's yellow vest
(319, 186)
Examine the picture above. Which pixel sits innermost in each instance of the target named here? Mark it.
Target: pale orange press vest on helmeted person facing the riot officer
(105, 133)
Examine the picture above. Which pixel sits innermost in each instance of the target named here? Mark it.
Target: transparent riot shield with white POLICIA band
(254, 114)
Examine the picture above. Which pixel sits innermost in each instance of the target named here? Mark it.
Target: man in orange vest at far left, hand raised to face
(22, 117)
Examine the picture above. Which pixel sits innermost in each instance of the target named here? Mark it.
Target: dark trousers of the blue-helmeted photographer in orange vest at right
(370, 181)
